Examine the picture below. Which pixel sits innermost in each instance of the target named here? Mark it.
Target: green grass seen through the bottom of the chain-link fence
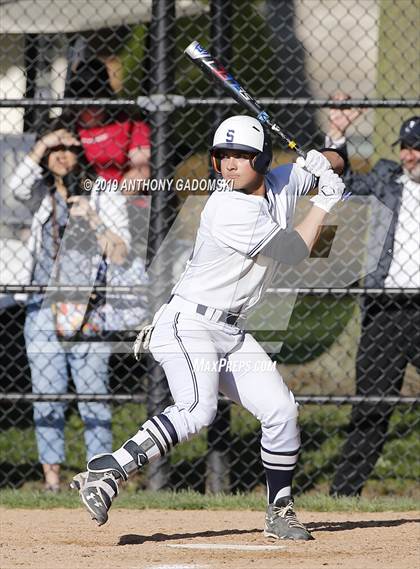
(323, 432)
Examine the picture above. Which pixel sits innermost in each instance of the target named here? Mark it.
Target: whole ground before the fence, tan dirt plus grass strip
(191, 531)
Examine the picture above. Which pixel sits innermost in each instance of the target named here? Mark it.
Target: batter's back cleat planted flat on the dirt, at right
(281, 521)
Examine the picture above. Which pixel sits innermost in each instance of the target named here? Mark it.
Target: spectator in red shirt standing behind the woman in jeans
(117, 146)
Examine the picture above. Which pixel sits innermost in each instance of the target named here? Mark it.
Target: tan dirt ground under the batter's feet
(68, 539)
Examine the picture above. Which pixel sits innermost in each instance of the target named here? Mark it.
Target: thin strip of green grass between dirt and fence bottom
(188, 500)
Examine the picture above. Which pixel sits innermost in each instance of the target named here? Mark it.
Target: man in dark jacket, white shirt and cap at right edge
(390, 335)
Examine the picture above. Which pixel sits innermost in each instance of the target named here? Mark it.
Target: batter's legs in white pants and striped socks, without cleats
(201, 357)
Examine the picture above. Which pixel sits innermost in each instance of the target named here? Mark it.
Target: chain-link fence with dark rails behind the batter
(107, 83)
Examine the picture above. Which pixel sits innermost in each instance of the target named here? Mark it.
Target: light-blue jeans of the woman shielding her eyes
(49, 363)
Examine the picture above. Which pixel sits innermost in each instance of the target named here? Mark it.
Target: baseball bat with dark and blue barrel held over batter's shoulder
(203, 59)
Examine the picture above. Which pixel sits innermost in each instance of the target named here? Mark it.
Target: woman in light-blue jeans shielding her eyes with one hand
(71, 234)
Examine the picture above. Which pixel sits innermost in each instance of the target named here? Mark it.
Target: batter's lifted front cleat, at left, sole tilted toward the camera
(97, 491)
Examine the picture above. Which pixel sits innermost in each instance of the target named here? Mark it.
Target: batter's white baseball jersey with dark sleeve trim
(226, 270)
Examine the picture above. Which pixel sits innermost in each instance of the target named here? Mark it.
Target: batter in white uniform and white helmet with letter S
(245, 234)
